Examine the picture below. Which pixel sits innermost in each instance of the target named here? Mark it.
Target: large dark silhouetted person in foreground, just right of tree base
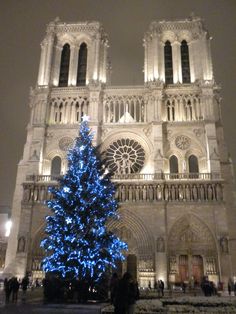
(126, 295)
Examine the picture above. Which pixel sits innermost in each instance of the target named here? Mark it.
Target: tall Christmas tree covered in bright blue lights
(78, 243)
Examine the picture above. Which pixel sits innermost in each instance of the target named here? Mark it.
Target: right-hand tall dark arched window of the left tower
(82, 65)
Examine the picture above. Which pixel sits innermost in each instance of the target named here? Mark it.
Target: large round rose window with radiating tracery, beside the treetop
(125, 156)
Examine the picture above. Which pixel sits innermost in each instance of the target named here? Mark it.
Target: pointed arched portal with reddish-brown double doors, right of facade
(192, 251)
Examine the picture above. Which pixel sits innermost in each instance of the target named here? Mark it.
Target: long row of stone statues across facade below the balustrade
(136, 193)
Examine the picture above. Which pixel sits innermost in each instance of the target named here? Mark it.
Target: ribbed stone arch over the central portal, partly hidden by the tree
(142, 241)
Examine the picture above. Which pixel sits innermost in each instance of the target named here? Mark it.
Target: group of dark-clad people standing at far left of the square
(12, 286)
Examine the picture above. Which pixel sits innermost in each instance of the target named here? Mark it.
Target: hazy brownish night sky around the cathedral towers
(22, 28)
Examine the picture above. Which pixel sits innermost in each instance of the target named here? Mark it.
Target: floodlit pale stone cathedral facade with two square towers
(163, 141)
